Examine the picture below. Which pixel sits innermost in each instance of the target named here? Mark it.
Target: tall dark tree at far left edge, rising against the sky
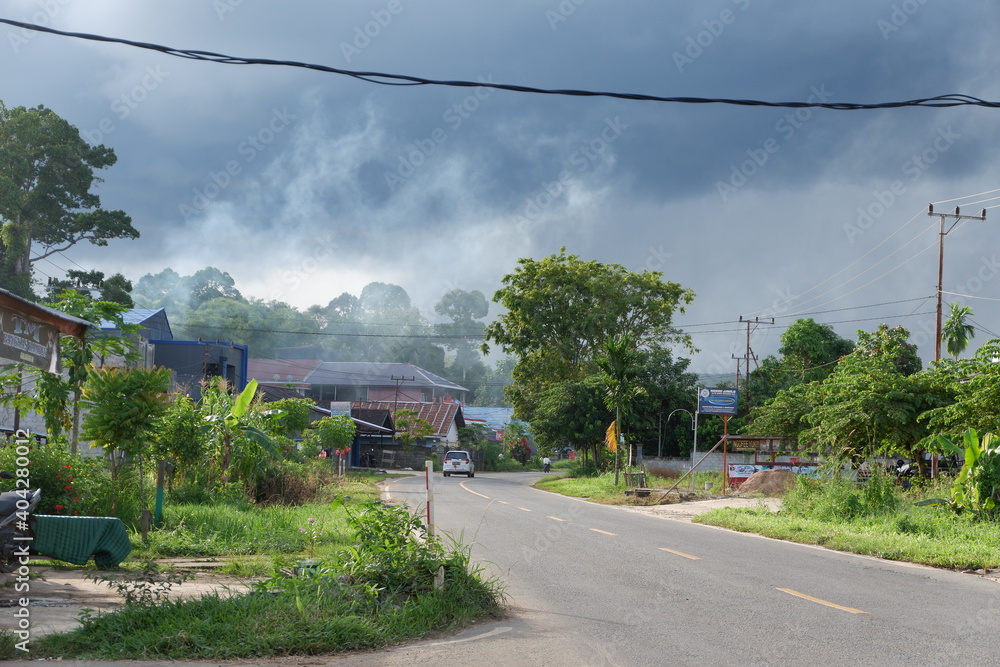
(46, 177)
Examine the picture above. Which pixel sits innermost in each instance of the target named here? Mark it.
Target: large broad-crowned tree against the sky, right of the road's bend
(560, 310)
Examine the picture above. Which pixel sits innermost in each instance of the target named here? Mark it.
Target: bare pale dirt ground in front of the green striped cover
(55, 597)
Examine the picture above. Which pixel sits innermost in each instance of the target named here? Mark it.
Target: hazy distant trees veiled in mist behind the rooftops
(380, 324)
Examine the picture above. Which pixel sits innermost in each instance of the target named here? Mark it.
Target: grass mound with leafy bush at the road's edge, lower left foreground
(378, 590)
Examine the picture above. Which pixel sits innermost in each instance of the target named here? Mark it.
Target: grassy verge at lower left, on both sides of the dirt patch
(374, 586)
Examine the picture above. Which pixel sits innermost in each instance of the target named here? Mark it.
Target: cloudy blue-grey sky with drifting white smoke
(303, 185)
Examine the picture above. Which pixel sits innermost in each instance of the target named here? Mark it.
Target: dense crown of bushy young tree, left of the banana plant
(123, 406)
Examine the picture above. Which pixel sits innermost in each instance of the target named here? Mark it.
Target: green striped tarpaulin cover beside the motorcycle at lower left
(75, 539)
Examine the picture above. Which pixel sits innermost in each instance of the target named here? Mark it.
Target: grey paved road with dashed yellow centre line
(597, 585)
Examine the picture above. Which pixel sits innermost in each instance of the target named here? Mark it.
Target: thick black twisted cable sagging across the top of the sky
(389, 79)
